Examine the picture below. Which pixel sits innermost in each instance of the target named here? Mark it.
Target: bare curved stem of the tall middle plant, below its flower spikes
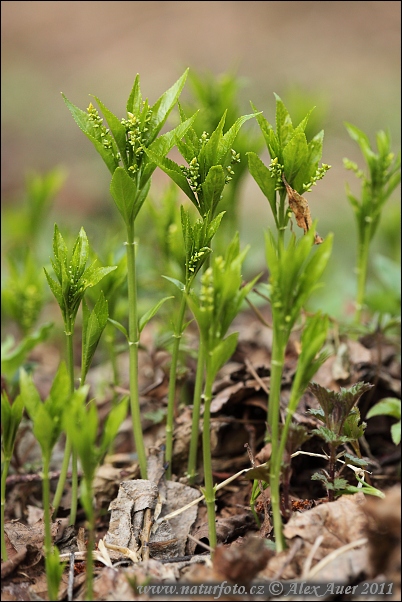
(172, 385)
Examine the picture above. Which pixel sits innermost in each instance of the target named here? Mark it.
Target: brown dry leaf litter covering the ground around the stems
(350, 540)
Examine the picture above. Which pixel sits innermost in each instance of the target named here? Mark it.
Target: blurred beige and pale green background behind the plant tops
(342, 57)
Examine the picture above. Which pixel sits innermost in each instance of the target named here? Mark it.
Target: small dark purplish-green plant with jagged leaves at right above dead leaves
(341, 424)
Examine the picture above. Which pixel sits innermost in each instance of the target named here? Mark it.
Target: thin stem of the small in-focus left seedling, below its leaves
(69, 330)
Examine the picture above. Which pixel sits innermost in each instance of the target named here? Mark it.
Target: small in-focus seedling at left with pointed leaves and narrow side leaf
(73, 278)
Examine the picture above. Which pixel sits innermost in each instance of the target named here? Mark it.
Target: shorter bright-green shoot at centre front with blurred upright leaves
(214, 309)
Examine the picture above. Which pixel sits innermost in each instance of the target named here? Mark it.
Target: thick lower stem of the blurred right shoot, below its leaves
(277, 364)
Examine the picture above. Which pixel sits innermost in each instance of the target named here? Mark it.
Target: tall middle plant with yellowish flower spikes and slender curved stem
(209, 169)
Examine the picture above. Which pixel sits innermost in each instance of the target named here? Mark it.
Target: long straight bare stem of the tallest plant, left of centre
(133, 334)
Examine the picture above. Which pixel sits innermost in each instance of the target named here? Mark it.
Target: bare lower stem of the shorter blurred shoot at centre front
(206, 450)
